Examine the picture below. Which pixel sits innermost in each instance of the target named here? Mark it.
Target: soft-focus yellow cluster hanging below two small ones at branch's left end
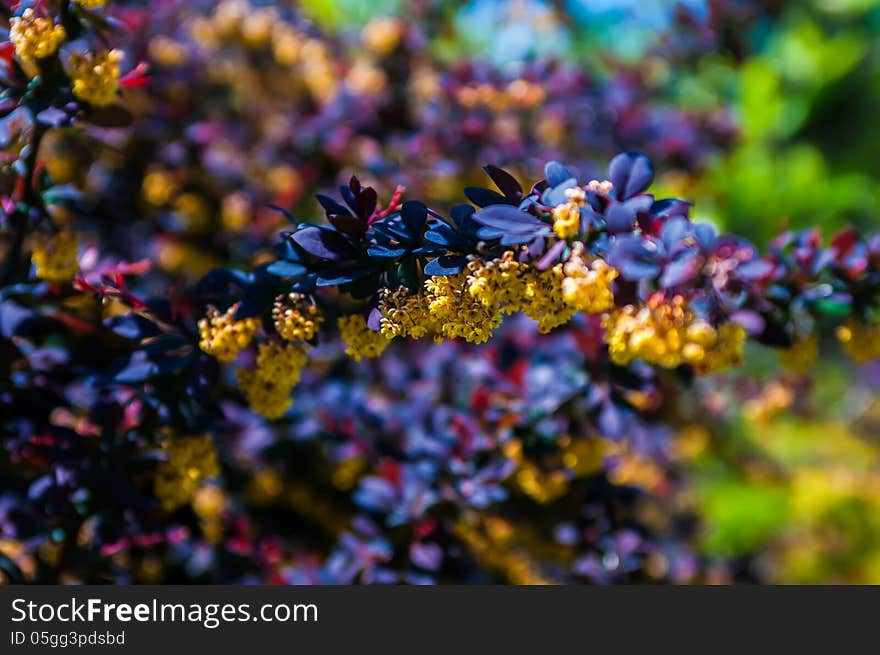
(268, 387)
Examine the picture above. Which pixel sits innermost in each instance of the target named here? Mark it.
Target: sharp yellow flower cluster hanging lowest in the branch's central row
(458, 313)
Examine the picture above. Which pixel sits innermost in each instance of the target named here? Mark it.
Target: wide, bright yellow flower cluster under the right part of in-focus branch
(668, 334)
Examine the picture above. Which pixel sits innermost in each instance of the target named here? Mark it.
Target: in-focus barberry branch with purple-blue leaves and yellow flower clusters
(670, 292)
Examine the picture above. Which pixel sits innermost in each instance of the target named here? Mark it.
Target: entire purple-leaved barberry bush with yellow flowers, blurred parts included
(199, 386)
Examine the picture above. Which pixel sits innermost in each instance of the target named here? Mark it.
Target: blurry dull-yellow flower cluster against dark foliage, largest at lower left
(188, 462)
